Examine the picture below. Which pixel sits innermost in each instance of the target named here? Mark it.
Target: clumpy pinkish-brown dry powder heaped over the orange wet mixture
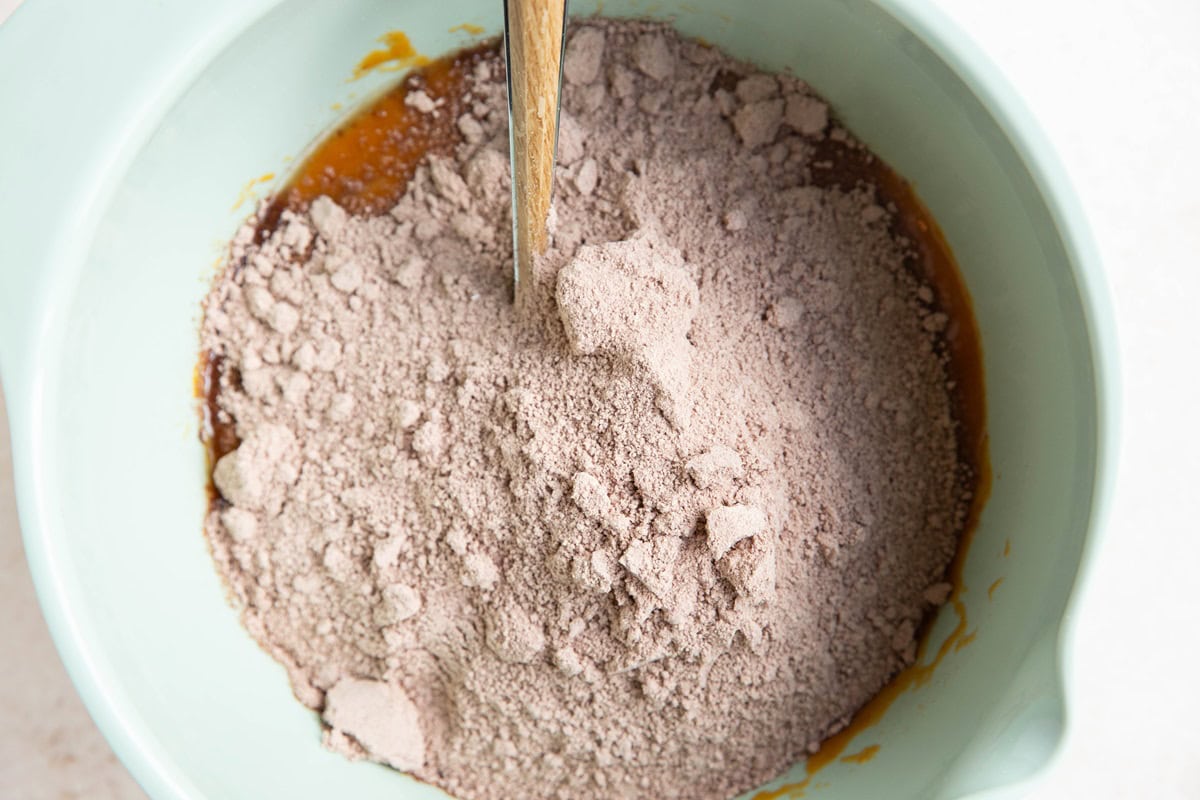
(658, 538)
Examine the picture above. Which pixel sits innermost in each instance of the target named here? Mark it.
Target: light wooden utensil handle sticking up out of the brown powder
(533, 49)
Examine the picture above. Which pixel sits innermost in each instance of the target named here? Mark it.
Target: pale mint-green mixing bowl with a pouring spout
(129, 129)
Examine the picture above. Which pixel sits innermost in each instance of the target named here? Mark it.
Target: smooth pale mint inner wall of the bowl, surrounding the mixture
(200, 712)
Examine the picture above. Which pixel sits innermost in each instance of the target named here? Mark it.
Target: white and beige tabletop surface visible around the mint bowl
(1117, 85)
